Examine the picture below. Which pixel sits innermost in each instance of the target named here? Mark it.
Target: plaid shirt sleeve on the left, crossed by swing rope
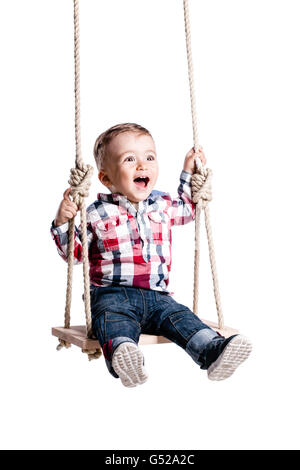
(60, 236)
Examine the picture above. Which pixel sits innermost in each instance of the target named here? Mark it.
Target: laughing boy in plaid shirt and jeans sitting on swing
(129, 236)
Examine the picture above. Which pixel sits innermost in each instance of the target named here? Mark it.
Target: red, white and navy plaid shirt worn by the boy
(128, 246)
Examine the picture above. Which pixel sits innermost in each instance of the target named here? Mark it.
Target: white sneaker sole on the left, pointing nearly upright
(128, 363)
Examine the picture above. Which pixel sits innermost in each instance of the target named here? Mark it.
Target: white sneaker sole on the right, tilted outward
(236, 352)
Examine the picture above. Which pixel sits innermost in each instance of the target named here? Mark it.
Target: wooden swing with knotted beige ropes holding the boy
(80, 181)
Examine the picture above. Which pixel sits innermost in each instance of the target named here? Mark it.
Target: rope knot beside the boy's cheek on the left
(80, 181)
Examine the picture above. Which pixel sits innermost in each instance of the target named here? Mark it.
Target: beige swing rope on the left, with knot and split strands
(80, 181)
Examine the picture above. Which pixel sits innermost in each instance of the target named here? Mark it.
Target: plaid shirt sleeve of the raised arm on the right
(182, 209)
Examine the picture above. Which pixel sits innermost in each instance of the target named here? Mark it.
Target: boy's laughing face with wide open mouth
(131, 167)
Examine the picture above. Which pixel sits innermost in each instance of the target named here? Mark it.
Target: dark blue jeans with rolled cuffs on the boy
(121, 314)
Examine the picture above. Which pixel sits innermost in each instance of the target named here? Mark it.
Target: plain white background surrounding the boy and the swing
(133, 68)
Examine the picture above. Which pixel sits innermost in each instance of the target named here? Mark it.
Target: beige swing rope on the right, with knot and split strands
(201, 188)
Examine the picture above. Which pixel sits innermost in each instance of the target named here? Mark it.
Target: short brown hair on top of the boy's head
(107, 136)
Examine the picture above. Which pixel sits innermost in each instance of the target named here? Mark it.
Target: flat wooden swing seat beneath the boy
(77, 335)
